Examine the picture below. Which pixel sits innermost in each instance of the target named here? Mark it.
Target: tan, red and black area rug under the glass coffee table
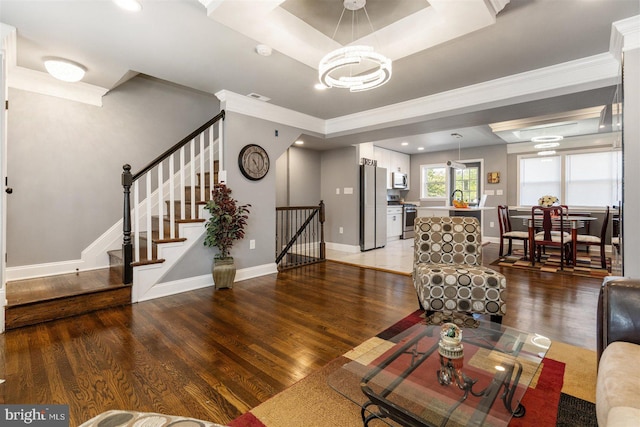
(563, 395)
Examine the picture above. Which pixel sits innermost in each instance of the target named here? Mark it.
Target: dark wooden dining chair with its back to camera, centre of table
(552, 232)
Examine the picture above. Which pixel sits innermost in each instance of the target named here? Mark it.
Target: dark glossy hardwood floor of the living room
(216, 354)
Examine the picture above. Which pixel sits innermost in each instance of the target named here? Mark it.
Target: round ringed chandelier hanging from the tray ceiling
(336, 68)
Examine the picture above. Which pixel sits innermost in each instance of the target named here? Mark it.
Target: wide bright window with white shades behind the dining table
(587, 179)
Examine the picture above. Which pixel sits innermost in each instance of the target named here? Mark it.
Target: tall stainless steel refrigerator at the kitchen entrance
(373, 207)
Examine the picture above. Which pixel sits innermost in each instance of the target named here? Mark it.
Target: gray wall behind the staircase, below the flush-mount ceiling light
(65, 159)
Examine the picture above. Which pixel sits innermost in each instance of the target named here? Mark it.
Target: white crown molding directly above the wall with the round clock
(259, 109)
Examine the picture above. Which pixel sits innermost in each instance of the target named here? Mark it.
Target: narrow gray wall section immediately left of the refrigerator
(339, 170)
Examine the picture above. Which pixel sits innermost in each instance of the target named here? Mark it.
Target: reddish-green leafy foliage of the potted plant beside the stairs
(227, 222)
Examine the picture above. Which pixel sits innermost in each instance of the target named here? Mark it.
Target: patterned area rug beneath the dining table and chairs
(586, 265)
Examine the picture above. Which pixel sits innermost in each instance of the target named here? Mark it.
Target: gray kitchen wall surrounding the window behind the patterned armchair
(495, 160)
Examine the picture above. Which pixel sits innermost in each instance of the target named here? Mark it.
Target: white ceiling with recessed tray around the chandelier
(438, 47)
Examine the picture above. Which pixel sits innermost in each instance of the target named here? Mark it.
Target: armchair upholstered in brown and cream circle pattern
(447, 269)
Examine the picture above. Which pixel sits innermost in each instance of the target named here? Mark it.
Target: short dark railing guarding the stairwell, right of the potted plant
(299, 236)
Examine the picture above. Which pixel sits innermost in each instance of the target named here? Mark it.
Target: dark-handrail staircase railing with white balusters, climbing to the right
(191, 168)
